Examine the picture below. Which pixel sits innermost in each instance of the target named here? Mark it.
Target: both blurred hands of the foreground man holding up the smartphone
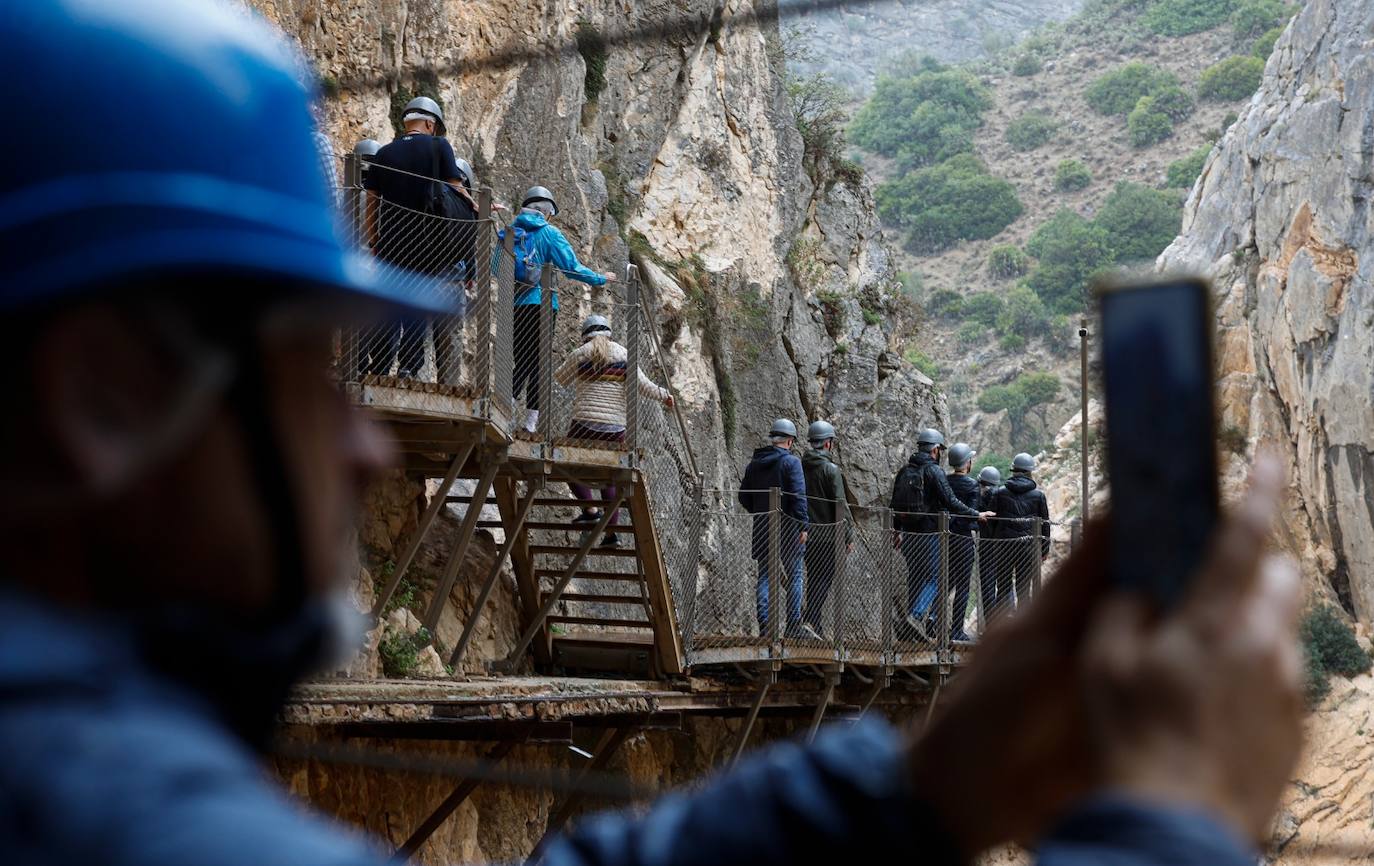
(1059, 703)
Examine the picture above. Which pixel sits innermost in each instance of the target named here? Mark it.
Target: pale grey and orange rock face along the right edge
(1281, 222)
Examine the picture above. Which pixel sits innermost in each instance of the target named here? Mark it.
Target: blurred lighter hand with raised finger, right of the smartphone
(1204, 709)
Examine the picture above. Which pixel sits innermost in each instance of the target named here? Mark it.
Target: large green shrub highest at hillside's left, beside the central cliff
(924, 118)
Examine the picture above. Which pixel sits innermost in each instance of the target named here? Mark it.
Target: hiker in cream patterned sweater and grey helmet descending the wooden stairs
(597, 372)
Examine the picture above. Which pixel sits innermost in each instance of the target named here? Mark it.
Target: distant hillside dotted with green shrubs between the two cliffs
(1013, 184)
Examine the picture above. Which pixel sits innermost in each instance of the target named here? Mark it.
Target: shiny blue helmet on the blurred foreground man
(226, 175)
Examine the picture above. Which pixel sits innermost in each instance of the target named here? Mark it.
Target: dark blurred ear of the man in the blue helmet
(102, 394)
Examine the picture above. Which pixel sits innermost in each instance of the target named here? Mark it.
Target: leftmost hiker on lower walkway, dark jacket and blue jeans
(776, 467)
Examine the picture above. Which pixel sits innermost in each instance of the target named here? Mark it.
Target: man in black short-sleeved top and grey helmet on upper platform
(420, 218)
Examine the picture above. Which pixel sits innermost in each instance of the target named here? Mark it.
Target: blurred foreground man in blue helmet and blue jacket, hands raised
(149, 632)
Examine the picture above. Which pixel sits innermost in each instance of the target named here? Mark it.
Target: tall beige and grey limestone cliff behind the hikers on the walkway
(689, 162)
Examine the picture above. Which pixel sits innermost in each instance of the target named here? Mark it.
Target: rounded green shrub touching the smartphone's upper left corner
(1070, 252)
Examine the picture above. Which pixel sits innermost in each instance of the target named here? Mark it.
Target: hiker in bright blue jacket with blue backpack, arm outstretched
(537, 244)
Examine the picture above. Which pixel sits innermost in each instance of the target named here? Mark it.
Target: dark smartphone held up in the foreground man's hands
(1162, 432)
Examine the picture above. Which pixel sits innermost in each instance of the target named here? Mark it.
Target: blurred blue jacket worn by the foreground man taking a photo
(111, 764)
